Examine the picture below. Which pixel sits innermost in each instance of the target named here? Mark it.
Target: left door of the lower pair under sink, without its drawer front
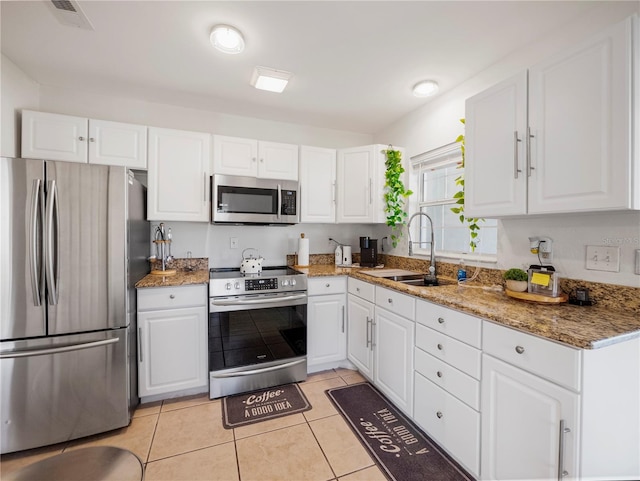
(360, 316)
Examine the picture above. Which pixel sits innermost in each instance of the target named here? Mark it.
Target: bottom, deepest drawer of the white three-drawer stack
(453, 424)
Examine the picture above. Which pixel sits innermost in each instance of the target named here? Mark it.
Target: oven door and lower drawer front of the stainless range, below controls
(256, 341)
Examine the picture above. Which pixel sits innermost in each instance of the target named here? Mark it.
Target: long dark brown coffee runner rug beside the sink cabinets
(403, 452)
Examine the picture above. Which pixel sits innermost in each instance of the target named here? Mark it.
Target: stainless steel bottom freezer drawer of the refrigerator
(63, 388)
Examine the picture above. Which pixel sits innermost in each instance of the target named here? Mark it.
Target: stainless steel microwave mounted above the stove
(247, 200)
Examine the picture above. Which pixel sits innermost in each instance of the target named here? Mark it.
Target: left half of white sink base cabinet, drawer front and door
(360, 318)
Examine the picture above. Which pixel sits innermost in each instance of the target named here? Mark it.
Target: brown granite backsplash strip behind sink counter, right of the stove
(608, 295)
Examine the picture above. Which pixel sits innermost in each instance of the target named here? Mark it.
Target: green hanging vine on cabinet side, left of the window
(395, 194)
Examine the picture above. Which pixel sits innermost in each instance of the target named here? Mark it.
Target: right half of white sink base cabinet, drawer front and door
(393, 342)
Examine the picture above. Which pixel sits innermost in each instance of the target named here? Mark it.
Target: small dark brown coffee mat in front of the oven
(274, 402)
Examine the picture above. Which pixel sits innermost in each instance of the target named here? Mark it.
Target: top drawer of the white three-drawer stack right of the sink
(456, 324)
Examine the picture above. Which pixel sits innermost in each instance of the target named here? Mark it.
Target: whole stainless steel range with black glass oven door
(257, 329)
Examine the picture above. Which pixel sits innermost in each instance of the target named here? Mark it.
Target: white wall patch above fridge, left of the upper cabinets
(17, 91)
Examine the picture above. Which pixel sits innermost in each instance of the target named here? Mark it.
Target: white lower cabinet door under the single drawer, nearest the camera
(522, 417)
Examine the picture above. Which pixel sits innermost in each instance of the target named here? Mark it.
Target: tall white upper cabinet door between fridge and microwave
(178, 175)
